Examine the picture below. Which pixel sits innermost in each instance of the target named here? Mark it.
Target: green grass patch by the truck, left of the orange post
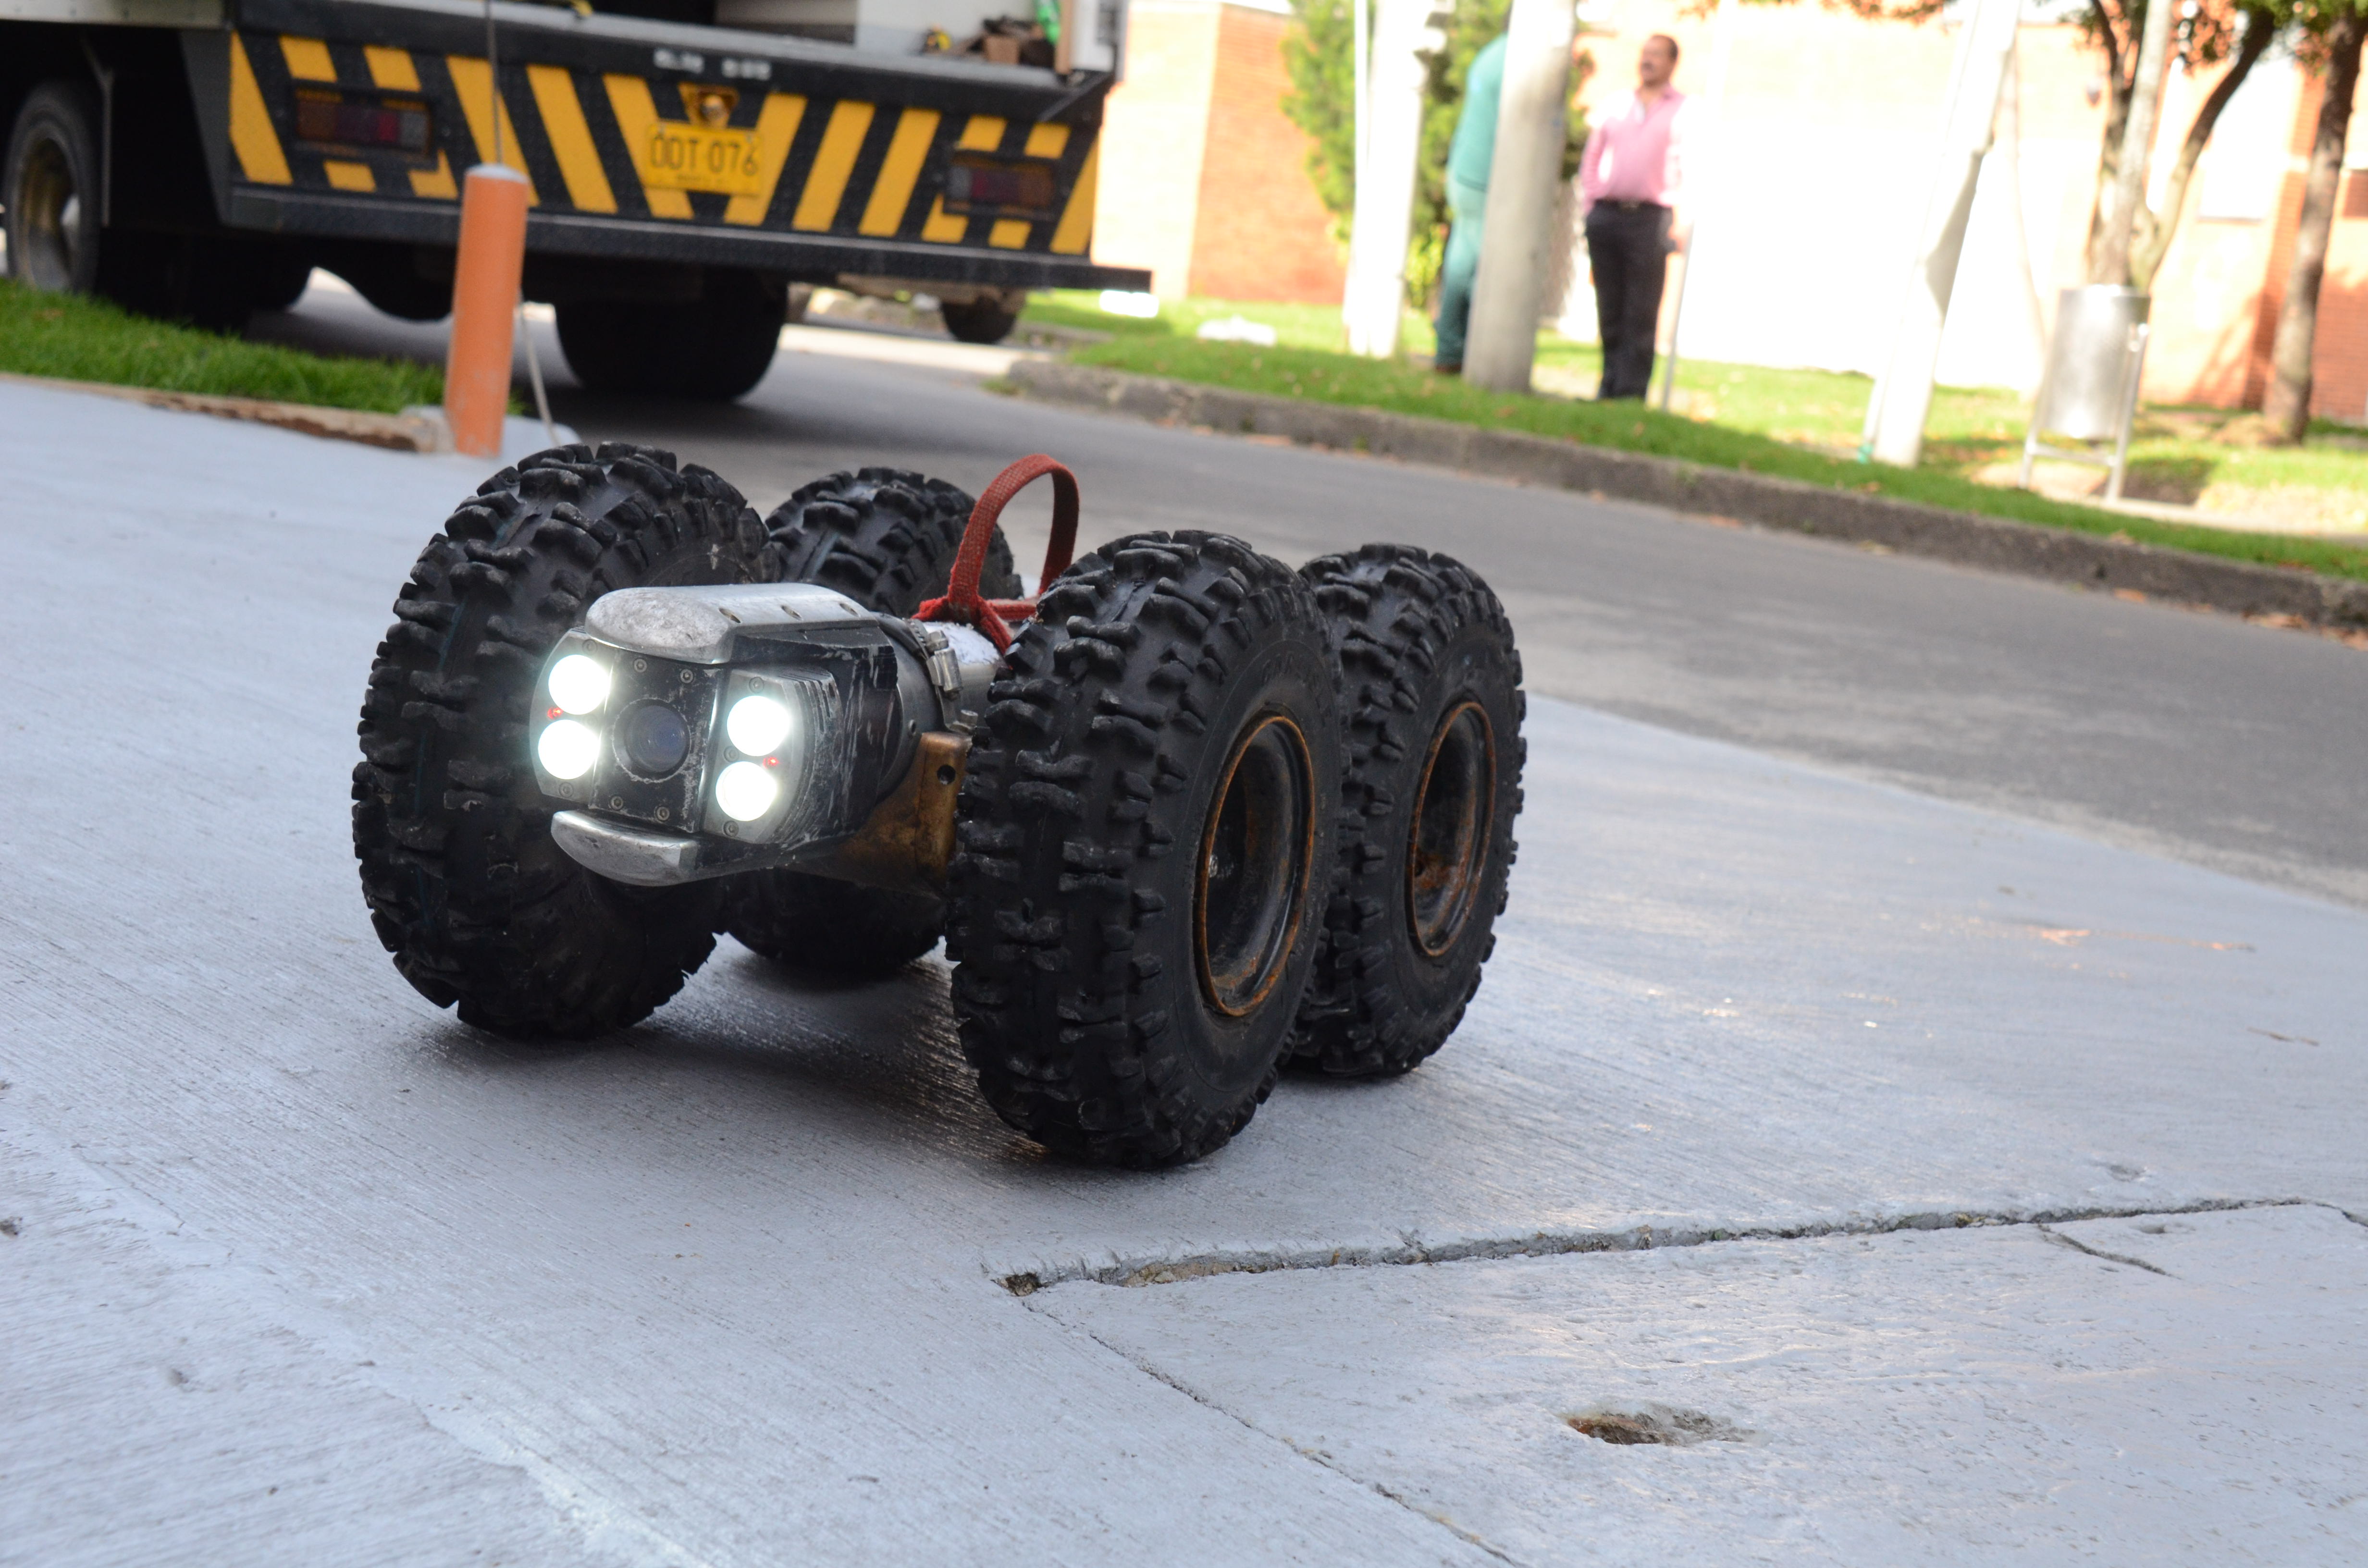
(89, 340)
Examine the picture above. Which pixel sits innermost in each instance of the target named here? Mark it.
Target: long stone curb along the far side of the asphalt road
(1756, 499)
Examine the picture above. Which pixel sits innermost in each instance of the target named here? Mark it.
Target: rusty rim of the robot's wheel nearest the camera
(1256, 859)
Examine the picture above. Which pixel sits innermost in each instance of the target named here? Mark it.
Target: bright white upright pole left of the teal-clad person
(1389, 146)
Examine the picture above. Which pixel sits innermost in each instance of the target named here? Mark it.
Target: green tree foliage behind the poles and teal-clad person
(1323, 103)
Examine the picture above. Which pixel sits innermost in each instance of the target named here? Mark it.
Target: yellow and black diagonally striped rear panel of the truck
(806, 165)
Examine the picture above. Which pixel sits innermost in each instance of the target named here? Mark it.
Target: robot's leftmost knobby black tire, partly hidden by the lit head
(458, 863)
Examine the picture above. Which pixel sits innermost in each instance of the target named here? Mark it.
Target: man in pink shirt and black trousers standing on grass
(1630, 181)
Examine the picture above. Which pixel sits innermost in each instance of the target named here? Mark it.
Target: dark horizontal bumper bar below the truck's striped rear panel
(759, 250)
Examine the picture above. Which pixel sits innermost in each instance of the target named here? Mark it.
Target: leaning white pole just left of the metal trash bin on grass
(1903, 399)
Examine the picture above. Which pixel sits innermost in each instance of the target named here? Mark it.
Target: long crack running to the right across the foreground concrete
(1410, 1249)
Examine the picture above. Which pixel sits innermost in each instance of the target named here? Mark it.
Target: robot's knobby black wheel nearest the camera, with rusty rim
(1143, 849)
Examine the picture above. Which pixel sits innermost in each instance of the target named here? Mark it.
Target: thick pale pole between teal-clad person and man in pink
(1519, 229)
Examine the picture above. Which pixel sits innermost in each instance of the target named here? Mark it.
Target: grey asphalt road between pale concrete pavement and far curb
(2156, 728)
